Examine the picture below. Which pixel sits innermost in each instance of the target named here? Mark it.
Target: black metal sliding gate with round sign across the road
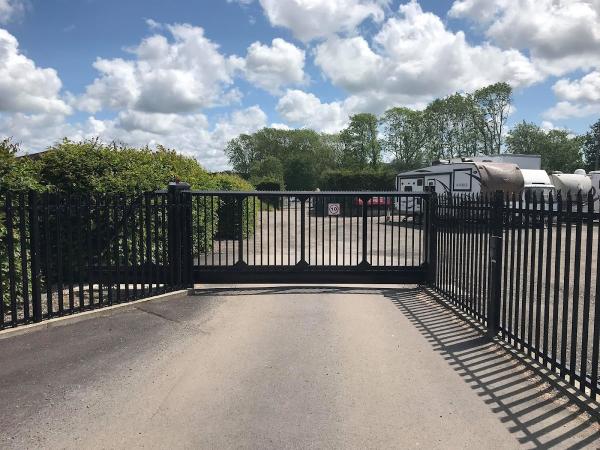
(307, 237)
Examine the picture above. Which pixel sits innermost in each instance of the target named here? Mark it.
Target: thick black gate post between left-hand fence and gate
(180, 232)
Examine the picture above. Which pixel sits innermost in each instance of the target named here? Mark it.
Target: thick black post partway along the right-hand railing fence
(495, 264)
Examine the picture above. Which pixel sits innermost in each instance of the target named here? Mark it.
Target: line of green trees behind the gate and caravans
(460, 125)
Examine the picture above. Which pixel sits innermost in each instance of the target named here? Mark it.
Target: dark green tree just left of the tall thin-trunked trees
(361, 146)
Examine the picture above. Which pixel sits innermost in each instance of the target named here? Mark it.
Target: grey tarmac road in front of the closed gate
(278, 368)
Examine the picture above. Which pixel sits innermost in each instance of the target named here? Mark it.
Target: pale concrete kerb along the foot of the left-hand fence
(78, 317)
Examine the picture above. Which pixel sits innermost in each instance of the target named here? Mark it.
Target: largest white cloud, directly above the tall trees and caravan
(415, 58)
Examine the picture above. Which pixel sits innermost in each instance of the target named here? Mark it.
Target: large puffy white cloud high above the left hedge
(176, 76)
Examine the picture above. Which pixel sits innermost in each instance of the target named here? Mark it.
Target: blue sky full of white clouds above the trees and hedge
(191, 75)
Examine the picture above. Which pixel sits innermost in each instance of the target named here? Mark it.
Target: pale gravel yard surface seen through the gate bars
(392, 240)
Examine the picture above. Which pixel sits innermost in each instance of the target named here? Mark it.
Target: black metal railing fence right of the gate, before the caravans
(529, 269)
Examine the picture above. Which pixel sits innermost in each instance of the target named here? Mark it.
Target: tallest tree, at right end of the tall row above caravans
(493, 103)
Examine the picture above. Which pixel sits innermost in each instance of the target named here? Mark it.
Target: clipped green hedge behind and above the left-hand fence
(93, 168)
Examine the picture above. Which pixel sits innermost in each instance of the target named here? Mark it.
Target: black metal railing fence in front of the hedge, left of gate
(61, 253)
